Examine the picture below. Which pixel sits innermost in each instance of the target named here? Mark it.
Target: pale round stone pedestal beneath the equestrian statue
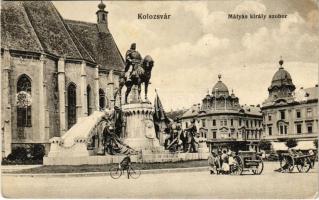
(140, 131)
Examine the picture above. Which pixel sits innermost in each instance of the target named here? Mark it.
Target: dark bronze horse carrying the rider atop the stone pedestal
(141, 74)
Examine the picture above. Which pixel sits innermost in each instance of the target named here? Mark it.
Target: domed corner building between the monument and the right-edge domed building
(223, 122)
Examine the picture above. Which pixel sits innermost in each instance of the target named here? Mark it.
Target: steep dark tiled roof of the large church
(37, 26)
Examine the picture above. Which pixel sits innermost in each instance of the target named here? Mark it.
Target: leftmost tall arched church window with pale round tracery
(24, 101)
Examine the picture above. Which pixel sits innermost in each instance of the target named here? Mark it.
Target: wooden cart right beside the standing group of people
(248, 161)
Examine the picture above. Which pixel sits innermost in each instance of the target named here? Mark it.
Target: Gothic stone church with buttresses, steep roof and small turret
(54, 71)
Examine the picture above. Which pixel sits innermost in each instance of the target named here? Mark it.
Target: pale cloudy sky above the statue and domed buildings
(199, 42)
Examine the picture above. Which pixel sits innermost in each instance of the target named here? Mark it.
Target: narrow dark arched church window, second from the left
(71, 105)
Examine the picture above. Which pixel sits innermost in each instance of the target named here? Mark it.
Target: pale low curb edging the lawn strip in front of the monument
(89, 174)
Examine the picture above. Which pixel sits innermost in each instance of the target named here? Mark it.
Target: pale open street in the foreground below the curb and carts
(170, 185)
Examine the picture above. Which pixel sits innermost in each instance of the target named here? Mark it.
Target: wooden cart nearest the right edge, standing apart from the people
(289, 159)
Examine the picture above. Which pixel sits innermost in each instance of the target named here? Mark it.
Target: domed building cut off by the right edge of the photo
(288, 113)
